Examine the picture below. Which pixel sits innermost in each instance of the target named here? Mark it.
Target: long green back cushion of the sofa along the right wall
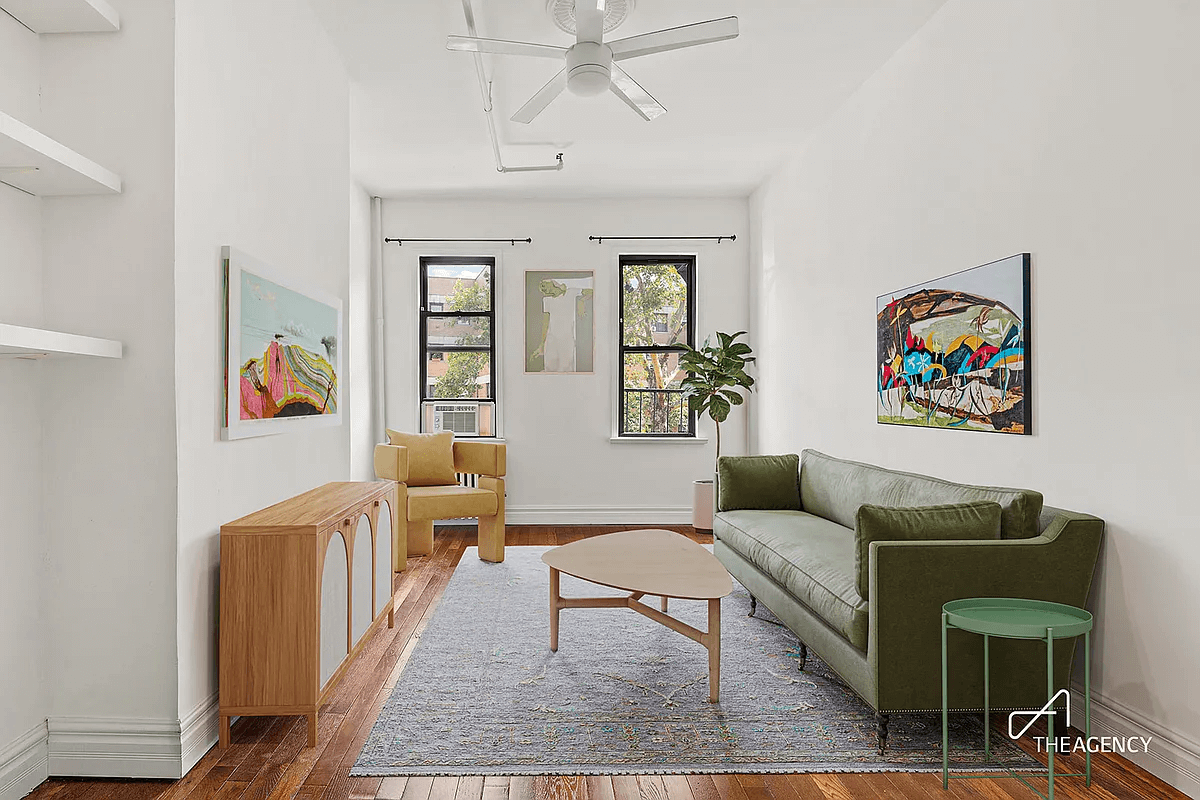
(835, 489)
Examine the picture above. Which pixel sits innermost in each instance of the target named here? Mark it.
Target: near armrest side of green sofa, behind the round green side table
(910, 582)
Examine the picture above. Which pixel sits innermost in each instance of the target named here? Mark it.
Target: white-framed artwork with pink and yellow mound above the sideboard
(284, 362)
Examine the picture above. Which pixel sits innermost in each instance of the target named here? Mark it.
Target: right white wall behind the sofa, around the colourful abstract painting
(1067, 130)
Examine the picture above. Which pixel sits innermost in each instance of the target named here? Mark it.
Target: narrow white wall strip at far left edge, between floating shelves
(25, 701)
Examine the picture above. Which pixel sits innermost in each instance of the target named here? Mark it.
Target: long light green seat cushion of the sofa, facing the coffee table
(809, 557)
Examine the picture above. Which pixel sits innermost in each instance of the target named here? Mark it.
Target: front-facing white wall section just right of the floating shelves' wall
(110, 479)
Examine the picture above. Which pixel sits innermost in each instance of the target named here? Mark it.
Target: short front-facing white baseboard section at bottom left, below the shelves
(115, 748)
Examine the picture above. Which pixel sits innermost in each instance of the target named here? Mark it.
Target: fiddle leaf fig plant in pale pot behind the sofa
(717, 376)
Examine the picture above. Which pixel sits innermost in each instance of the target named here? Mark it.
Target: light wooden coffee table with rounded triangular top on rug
(657, 563)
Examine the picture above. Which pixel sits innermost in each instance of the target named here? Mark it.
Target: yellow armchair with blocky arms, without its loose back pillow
(418, 507)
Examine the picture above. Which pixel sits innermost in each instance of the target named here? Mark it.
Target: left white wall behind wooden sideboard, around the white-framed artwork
(263, 165)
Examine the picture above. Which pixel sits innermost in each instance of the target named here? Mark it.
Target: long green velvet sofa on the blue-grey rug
(801, 564)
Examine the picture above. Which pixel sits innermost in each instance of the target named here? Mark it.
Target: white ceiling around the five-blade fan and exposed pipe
(735, 109)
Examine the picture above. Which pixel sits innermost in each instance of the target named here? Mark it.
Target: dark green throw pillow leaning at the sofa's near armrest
(974, 521)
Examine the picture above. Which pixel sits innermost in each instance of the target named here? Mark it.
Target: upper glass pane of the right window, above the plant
(656, 304)
